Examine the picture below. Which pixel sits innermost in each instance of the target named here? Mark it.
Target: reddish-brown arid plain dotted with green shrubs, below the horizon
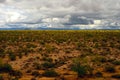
(60, 55)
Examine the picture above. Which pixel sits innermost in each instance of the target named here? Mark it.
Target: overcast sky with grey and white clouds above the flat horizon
(65, 14)
